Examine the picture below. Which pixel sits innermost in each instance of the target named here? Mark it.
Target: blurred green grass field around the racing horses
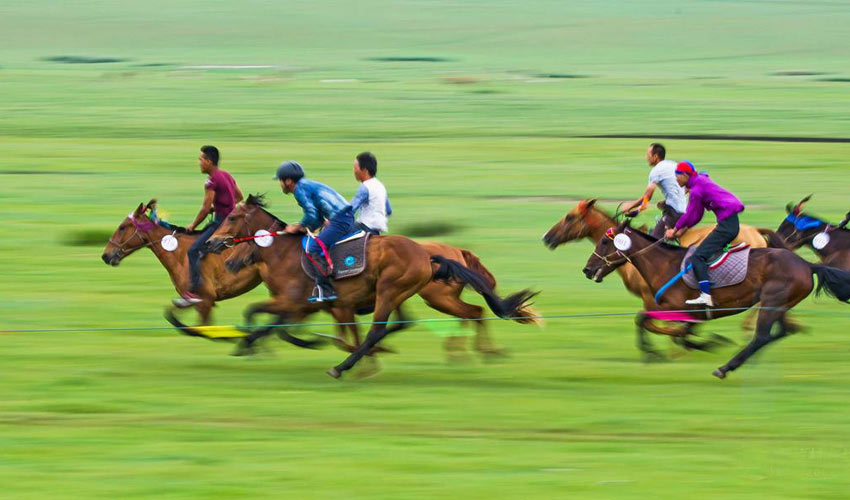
(478, 113)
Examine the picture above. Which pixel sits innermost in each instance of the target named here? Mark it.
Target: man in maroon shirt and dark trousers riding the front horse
(221, 194)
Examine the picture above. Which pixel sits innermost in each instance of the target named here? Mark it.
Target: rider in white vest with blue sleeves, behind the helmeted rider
(371, 198)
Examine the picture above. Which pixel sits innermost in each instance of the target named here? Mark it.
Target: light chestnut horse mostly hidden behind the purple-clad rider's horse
(589, 221)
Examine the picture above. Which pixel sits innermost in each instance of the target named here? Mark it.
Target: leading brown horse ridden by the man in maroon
(138, 231)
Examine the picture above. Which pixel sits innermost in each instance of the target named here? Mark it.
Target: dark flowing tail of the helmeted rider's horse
(515, 307)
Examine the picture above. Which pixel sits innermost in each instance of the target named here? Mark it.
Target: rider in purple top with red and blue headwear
(706, 195)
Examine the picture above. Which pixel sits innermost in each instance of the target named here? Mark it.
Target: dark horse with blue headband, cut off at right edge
(799, 229)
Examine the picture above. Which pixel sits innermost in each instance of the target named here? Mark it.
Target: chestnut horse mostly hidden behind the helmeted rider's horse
(438, 295)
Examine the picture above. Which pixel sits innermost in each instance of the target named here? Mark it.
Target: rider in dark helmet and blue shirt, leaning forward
(322, 206)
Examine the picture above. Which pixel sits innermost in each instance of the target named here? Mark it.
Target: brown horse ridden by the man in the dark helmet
(398, 268)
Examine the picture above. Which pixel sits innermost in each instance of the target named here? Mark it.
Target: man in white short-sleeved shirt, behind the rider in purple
(663, 175)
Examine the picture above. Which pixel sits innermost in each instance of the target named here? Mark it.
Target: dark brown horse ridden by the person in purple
(776, 277)
